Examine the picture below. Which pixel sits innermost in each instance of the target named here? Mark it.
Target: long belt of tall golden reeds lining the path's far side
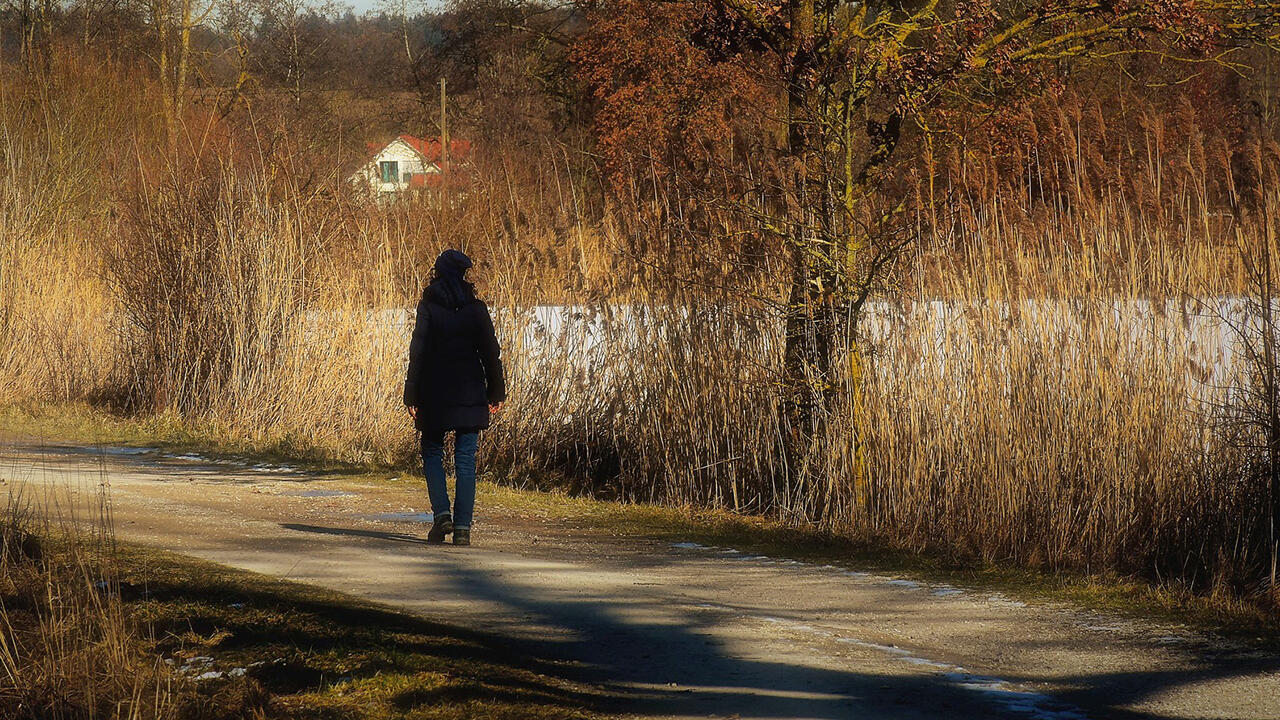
(1060, 404)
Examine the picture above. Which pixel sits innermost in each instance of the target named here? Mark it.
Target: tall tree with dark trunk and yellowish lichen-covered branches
(858, 81)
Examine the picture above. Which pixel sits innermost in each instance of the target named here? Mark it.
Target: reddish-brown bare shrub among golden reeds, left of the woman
(209, 281)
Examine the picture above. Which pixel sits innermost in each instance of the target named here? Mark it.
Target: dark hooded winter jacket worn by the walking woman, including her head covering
(455, 366)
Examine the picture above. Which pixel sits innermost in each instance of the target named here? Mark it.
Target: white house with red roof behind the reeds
(412, 162)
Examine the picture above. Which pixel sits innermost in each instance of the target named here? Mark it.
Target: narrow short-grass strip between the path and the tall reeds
(1135, 598)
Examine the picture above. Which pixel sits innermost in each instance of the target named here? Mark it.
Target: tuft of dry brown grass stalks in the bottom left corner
(67, 649)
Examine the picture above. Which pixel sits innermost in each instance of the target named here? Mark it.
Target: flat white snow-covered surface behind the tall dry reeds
(1208, 335)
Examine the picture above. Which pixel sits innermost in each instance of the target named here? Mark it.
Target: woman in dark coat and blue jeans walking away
(455, 382)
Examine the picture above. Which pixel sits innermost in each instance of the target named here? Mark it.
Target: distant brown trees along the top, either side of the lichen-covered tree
(527, 74)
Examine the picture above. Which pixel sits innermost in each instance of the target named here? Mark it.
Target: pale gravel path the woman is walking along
(671, 630)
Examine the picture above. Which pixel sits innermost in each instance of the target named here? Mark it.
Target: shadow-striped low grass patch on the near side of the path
(294, 651)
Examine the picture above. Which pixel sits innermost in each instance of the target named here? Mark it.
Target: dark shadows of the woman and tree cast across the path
(653, 657)
